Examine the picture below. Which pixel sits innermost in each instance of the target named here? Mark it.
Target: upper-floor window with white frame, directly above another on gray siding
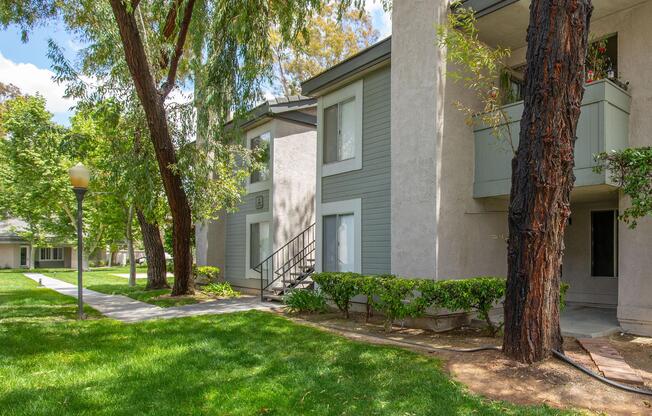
(340, 130)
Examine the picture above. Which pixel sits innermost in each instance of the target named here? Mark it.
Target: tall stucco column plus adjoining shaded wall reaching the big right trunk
(438, 230)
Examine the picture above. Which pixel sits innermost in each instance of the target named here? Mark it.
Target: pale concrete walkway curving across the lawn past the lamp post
(126, 309)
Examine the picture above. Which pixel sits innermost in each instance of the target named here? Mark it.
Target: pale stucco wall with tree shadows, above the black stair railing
(293, 184)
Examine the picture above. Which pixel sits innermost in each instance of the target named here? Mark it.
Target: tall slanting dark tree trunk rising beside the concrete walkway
(153, 102)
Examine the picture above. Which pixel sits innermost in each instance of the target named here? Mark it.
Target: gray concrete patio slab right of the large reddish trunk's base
(589, 322)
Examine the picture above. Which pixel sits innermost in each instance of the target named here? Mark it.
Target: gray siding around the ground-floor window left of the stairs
(236, 235)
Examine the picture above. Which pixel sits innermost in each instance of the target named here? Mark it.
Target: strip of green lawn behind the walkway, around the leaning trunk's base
(102, 280)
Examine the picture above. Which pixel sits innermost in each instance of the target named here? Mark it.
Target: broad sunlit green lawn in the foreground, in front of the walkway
(237, 364)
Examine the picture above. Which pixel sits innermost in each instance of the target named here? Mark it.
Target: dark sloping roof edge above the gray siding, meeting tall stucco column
(365, 59)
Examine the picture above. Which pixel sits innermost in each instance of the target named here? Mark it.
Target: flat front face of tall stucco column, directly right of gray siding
(416, 88)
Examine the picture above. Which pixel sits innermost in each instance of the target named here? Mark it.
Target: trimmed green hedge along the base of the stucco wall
(399, 298)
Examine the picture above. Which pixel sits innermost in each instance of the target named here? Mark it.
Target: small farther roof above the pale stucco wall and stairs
(287, 107)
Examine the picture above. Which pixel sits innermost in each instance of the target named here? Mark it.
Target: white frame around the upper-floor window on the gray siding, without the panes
(352, 91)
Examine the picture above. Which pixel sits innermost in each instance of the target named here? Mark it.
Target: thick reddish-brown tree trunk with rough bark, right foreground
(542, 175)
